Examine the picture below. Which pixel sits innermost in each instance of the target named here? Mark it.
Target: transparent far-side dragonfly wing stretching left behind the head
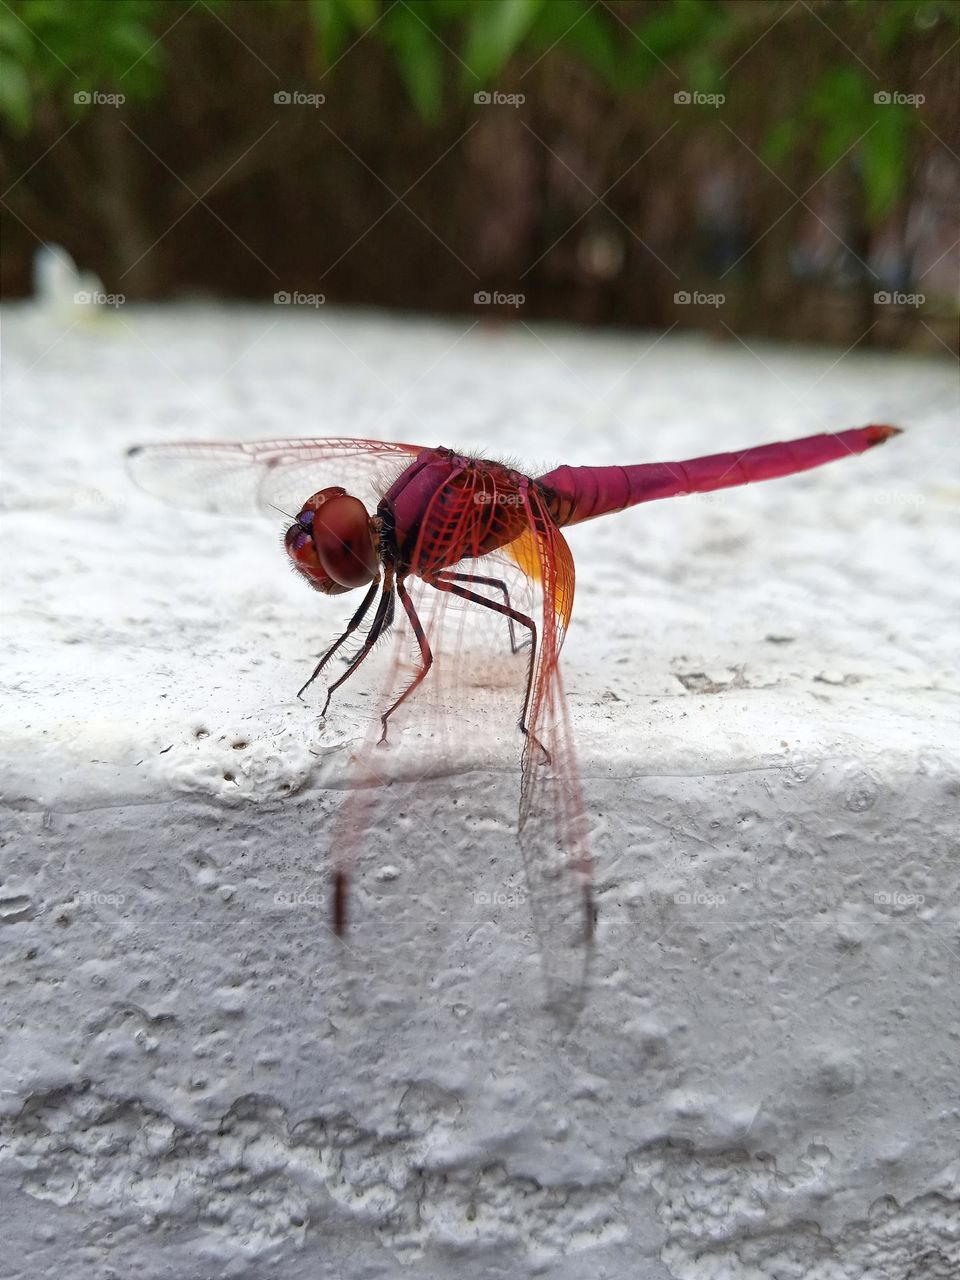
(268, 476)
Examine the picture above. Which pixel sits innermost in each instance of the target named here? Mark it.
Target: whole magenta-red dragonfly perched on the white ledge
(382, 515)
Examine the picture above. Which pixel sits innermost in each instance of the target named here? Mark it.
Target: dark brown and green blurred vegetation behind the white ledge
(799, 198)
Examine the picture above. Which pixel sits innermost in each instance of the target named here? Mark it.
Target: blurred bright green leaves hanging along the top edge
(51, 47)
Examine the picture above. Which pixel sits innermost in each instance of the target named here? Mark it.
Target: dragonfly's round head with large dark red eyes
(333, 543)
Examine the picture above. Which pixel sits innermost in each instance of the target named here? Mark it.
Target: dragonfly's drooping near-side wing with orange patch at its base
(554, 835)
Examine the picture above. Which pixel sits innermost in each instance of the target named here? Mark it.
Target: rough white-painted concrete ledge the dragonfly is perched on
(199, 1081)
